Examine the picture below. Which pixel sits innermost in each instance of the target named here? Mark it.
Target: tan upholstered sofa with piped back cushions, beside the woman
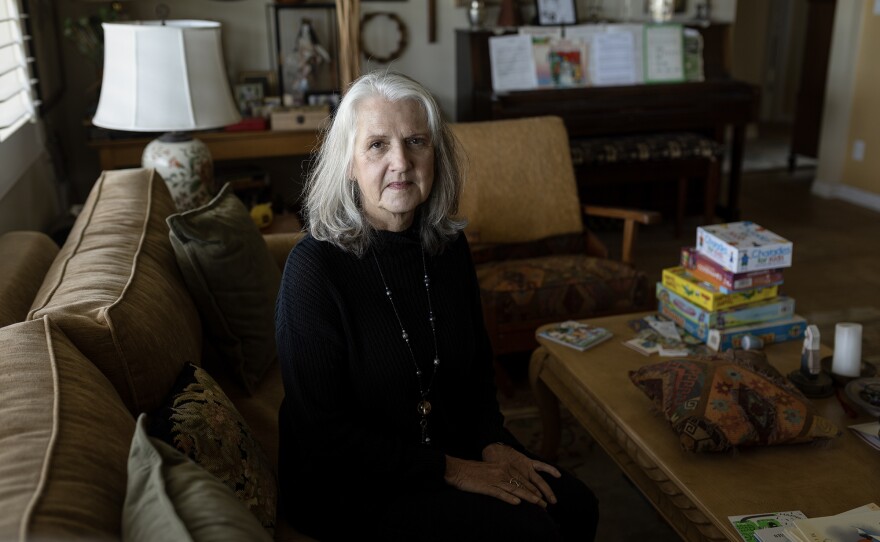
(95, 333)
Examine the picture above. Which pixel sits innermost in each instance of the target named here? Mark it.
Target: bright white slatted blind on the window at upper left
(17, 103)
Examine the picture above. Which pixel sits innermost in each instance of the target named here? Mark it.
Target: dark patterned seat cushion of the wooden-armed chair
(559, 287)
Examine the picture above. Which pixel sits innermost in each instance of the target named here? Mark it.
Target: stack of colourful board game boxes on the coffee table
(727, 287)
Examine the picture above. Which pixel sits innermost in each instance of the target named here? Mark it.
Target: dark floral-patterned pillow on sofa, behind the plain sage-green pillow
(199, 420)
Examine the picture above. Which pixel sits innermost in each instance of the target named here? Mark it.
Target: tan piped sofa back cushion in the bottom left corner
(64, 439)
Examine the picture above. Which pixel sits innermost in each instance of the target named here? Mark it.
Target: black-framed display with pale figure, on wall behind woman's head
(306, 48)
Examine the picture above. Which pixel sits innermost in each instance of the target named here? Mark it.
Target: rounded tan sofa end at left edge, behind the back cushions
(25, 256)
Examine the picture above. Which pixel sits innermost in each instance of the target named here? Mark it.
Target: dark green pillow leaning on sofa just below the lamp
(234, 280)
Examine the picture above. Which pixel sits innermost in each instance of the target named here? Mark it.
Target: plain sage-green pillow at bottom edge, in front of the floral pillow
(169, 497)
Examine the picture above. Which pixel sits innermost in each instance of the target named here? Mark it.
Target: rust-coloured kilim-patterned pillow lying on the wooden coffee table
(737, 399)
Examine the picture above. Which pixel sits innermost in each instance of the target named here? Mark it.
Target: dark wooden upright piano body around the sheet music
(719, 107)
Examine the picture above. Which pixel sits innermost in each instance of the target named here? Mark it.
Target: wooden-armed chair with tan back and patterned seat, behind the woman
(536, 262)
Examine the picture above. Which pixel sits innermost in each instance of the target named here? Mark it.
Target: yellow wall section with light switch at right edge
(865, 113)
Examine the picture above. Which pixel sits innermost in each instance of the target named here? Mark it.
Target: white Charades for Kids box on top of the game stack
(743, 246)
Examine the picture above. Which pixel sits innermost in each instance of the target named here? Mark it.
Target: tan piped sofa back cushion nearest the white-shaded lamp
(116, 291)
